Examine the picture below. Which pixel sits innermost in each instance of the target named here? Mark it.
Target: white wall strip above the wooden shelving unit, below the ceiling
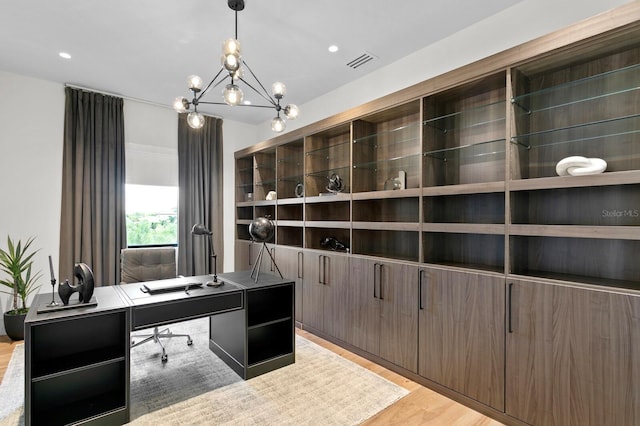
(522, 22)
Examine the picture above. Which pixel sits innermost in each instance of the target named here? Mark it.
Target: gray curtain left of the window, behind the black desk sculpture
(92, 225)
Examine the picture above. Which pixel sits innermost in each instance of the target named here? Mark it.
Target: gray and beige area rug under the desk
(196, 387)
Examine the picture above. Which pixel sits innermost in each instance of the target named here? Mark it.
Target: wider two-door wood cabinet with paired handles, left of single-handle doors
(383, 310)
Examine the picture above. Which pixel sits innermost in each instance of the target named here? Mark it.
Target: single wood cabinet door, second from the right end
(461, 344)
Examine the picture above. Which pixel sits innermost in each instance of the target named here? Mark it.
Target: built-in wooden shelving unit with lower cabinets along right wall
(453, 182)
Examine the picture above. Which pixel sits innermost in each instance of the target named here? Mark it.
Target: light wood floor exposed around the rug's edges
(421, 406)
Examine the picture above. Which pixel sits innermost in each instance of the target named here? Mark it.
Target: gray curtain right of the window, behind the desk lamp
(200, 200)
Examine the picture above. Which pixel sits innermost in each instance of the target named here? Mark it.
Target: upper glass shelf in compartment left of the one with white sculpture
(469, 118)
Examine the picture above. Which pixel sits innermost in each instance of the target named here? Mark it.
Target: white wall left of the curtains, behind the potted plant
(31, 130)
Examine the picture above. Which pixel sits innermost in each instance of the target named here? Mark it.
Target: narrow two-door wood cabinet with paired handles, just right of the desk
(324, 306)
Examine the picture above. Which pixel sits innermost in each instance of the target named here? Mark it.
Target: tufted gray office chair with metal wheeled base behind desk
(149, 264)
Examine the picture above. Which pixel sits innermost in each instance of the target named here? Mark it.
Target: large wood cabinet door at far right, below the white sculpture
(573, 355)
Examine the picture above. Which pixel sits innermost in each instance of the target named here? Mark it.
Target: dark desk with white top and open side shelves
(77, 361)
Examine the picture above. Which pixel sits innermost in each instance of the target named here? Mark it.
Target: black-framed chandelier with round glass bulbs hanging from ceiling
(233, 71)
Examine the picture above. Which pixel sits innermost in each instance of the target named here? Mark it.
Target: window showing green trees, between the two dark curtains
(152, 215)
